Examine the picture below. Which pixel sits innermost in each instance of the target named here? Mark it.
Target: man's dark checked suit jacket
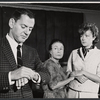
(7, 63)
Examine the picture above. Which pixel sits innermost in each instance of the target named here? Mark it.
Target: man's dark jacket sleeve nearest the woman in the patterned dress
(45, 76)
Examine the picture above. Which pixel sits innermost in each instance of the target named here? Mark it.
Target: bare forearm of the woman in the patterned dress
(62, 83)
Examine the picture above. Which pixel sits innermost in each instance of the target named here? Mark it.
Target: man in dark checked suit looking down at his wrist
(17, 81)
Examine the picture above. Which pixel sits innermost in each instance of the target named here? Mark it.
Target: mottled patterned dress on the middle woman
(57, 75)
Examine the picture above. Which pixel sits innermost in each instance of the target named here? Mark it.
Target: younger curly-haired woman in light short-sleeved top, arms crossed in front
(84, 65)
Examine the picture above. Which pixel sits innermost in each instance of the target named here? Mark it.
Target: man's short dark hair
(18, 12)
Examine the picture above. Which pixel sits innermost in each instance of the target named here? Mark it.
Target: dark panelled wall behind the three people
(49, 25)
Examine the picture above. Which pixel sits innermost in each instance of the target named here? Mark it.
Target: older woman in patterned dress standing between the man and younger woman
(56, 87)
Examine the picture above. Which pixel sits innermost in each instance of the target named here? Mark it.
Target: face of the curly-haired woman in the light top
(87, 39)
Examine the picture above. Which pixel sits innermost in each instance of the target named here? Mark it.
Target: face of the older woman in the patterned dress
(57, 50)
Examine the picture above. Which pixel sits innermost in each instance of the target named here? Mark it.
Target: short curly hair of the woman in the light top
(93, 28)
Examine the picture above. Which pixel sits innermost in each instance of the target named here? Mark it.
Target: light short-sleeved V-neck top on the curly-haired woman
(91, 64)
